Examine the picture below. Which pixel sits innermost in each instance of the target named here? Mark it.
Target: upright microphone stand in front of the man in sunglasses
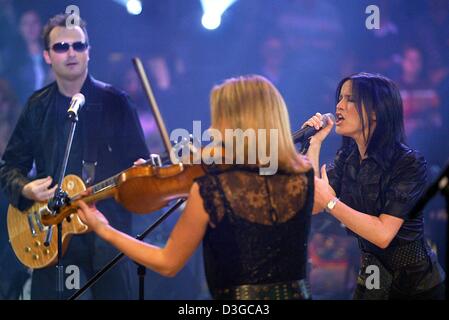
(60, 199)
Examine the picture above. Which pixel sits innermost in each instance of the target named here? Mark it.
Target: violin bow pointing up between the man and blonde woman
(153, 104)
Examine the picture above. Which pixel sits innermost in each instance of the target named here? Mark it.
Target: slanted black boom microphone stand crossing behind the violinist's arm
(117, 258)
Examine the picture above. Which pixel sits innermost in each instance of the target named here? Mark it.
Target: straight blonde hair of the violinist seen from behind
(253, 102)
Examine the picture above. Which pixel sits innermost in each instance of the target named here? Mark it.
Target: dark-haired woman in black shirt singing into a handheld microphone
(371, 187)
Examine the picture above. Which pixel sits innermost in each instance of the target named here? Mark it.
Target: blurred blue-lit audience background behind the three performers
(303, 46)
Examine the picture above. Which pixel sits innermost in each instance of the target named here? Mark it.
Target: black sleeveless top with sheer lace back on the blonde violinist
(259, 227)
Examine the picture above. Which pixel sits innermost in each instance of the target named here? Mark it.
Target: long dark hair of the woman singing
(379, 95)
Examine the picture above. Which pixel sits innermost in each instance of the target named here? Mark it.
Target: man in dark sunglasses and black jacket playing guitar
(107, 140)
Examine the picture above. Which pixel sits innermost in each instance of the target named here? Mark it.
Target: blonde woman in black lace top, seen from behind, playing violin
(254, 227)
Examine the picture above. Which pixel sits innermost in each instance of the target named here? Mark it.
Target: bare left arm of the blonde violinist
(184, 239)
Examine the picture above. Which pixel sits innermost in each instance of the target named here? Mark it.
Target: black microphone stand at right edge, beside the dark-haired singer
(440, 184)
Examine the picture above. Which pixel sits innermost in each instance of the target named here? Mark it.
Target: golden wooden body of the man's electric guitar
(27, 233)
